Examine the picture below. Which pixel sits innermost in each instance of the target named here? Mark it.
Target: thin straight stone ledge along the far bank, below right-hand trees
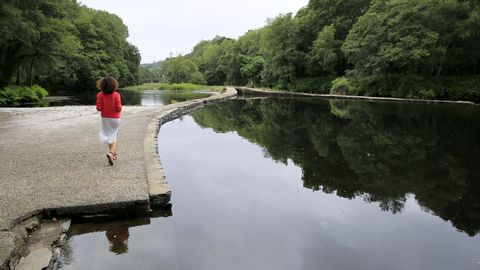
(266, 93)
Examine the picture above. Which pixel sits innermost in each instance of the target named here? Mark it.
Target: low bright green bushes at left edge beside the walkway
(14, 94)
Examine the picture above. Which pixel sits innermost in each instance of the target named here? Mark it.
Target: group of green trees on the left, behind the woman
(62, 45)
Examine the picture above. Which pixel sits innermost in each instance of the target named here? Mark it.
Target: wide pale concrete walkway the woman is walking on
(51, 159)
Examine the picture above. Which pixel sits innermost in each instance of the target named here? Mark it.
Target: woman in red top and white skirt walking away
(109, 103)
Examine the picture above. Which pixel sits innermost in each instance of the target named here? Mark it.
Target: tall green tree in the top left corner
(34, 34)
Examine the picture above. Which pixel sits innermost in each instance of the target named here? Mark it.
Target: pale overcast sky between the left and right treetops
(160, 27)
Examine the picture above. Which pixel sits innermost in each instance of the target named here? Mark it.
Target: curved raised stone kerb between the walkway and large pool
(158, 188)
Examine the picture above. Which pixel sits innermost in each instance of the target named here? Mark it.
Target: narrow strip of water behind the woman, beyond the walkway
(144, 98)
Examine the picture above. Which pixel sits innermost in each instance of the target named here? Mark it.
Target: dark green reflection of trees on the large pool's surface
(382, 152)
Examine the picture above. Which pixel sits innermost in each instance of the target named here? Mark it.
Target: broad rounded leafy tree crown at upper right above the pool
(391, 35)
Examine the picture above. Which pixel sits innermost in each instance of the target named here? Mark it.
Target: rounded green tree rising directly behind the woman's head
(105, 50)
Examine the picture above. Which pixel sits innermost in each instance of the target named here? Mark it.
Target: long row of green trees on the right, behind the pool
(401, 48)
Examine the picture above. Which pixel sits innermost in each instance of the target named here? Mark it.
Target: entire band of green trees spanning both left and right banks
(400, 48)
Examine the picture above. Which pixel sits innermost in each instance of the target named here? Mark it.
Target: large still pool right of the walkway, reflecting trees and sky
(310, 184)
